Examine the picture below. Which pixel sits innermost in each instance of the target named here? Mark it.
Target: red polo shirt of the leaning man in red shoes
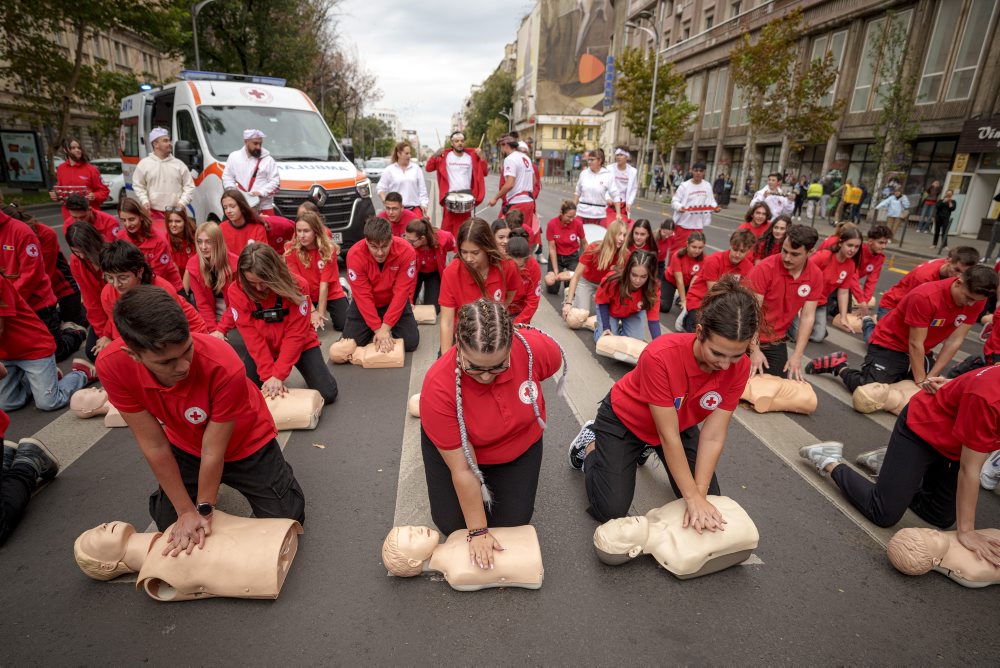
(929, 305)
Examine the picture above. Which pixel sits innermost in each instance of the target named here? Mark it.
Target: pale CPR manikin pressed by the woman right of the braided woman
(684, 552)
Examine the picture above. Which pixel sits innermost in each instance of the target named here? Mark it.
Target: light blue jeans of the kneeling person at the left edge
(27, 379)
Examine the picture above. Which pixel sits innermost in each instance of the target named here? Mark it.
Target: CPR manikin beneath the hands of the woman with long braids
(410, 550)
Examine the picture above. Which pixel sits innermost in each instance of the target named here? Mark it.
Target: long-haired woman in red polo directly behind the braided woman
(482, 271)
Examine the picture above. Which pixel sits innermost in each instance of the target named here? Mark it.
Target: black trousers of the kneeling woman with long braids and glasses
(513, 486)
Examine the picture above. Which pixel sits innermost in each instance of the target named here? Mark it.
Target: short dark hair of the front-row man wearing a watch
(148, 318)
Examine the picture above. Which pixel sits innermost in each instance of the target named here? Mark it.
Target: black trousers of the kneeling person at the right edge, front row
(914, 475)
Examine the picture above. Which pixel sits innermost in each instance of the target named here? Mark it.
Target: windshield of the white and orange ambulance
(292, 135)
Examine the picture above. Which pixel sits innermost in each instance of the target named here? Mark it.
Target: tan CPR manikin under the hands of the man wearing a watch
(244, 557)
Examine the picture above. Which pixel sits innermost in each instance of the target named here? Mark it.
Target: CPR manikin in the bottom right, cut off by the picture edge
(917, 551)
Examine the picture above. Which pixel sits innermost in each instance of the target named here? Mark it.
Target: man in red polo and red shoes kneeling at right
(936, 312)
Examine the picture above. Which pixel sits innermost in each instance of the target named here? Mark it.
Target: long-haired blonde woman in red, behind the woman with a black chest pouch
(209, 275)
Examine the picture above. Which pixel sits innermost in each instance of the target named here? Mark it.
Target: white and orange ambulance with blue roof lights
(206, 114)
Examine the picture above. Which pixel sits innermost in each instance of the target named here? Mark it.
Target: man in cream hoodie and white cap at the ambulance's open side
(161, 180)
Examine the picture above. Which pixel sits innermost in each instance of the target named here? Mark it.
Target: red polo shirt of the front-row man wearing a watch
(216, 390)
